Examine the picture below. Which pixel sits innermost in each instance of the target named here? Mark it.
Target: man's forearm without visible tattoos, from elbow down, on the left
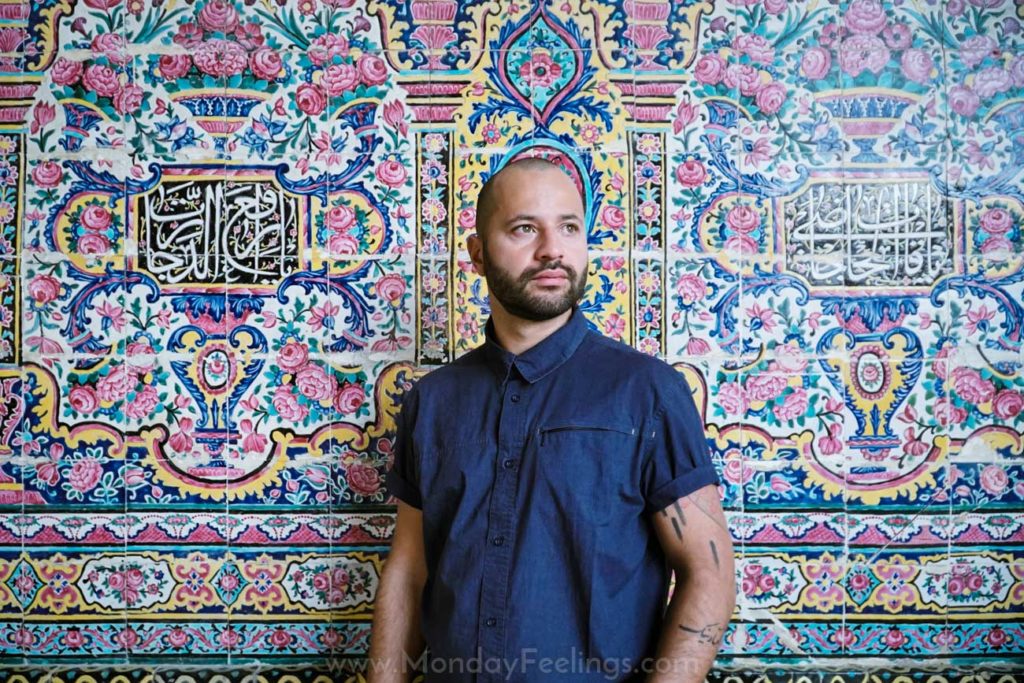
(397, 642)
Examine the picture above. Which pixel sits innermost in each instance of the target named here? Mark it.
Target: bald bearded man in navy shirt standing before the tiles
(547, 482)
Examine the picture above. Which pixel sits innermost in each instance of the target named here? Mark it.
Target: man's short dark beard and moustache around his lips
(514, 293)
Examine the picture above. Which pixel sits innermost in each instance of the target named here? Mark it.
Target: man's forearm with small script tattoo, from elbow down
(695, 625)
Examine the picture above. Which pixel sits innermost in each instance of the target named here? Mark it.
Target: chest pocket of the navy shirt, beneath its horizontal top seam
(586, 467)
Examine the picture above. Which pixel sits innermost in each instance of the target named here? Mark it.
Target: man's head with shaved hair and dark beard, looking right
(531, 242)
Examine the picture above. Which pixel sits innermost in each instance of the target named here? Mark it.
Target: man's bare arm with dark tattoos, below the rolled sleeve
(697, 542)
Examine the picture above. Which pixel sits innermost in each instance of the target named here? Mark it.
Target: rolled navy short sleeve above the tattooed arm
(676, 460)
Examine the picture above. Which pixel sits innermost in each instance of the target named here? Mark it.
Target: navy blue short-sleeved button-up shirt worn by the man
(538, 476)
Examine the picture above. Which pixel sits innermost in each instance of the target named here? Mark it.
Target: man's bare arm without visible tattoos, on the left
(396, 641)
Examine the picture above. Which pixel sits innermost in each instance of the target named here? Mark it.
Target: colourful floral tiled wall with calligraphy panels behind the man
(234, 234)
